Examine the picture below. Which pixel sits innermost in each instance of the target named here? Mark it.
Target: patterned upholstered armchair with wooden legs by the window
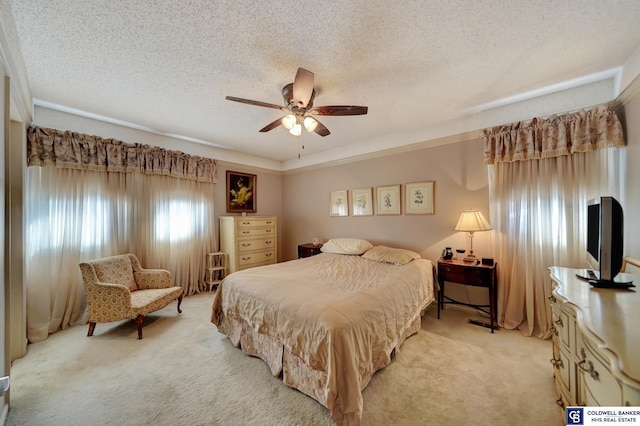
(118, 288)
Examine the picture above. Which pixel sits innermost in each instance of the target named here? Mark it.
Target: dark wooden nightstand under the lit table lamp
(477, 275)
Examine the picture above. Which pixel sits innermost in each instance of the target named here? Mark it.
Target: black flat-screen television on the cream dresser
(605, 237)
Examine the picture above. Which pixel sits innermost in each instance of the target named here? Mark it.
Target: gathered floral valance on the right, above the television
(557, 135)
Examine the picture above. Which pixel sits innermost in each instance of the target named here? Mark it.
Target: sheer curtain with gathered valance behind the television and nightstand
(538, 210)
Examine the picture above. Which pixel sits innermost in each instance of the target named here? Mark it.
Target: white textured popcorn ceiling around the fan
(167, 65)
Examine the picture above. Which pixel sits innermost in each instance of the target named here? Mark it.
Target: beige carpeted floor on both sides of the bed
(185, 373)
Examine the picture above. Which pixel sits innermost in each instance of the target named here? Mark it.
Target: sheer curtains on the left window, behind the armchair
(75, 215)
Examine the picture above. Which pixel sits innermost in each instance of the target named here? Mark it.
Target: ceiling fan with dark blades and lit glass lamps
(298, 98)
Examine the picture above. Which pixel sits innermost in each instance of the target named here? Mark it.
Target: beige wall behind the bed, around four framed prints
(460, 183)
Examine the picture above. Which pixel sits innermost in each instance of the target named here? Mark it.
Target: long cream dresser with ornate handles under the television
(596, 342)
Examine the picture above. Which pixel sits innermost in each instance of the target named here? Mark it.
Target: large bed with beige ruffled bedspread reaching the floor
(328, 322)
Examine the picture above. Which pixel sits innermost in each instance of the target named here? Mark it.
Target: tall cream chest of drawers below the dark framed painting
(249, 241)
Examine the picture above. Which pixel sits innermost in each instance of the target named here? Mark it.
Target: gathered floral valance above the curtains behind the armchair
(65, 149)
